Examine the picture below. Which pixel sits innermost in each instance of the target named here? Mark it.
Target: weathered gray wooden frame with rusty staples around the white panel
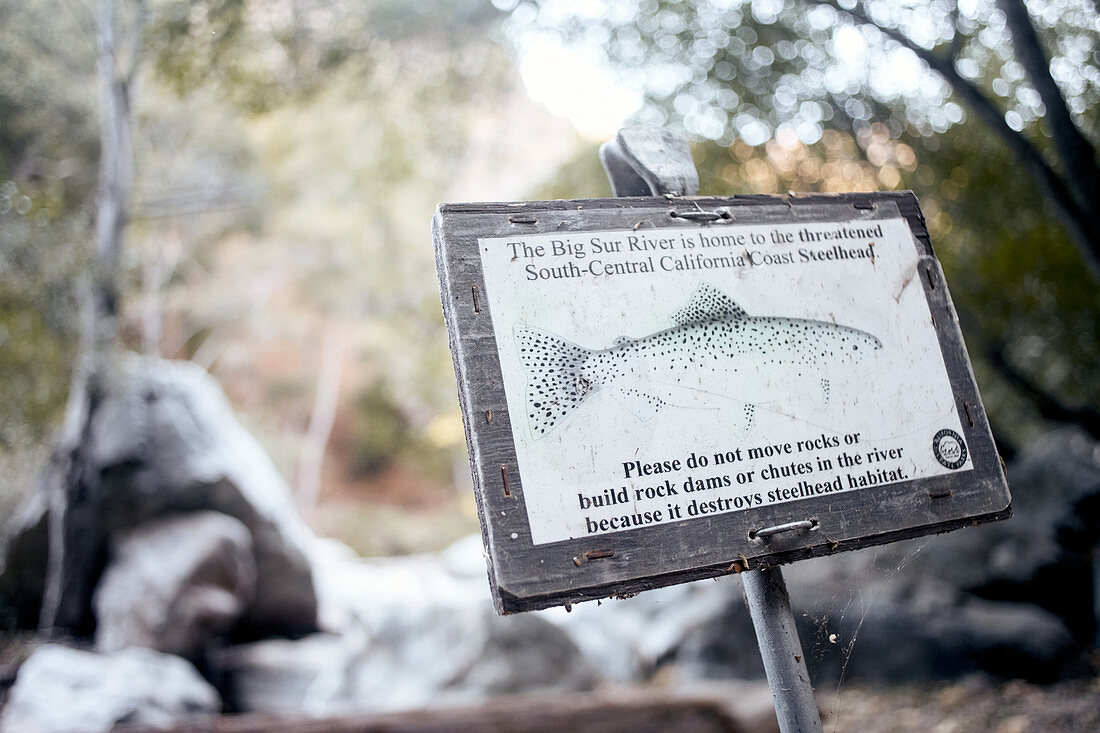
(527, 576)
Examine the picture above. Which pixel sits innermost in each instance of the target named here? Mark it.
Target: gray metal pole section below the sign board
(784, 661)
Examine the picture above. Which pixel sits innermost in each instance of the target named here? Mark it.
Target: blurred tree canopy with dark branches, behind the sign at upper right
(991, 112)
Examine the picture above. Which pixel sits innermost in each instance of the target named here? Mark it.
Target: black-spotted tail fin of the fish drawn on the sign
(555, 384)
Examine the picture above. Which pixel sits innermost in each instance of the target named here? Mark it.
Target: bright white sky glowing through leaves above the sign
(565, 46)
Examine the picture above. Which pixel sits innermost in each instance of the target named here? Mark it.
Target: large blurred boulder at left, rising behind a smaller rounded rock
(163, 441)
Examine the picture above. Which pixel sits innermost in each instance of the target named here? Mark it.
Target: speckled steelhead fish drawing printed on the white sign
(716, 352)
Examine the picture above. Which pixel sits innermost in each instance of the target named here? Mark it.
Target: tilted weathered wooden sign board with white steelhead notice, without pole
(657, 390)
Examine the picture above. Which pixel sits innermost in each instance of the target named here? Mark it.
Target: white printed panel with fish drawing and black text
(666, 376)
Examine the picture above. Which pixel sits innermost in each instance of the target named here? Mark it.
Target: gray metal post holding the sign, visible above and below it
(656, 162)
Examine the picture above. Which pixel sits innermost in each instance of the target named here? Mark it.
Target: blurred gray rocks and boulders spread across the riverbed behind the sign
(212, 597)
